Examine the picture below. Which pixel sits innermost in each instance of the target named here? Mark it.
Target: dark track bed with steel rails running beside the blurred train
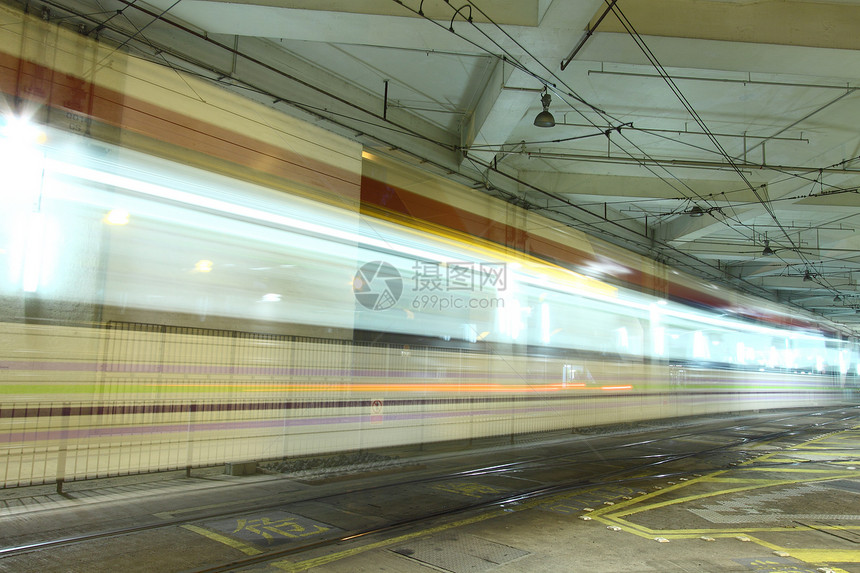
(514, 478)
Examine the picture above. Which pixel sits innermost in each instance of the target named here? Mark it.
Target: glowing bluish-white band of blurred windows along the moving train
(127, 216)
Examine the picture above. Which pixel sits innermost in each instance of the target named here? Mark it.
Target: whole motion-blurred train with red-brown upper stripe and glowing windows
(166, 304)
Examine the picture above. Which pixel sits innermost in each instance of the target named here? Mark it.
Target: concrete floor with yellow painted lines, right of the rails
(789, 511)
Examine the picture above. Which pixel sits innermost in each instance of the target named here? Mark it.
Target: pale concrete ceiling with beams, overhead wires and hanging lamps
(696, 132)
